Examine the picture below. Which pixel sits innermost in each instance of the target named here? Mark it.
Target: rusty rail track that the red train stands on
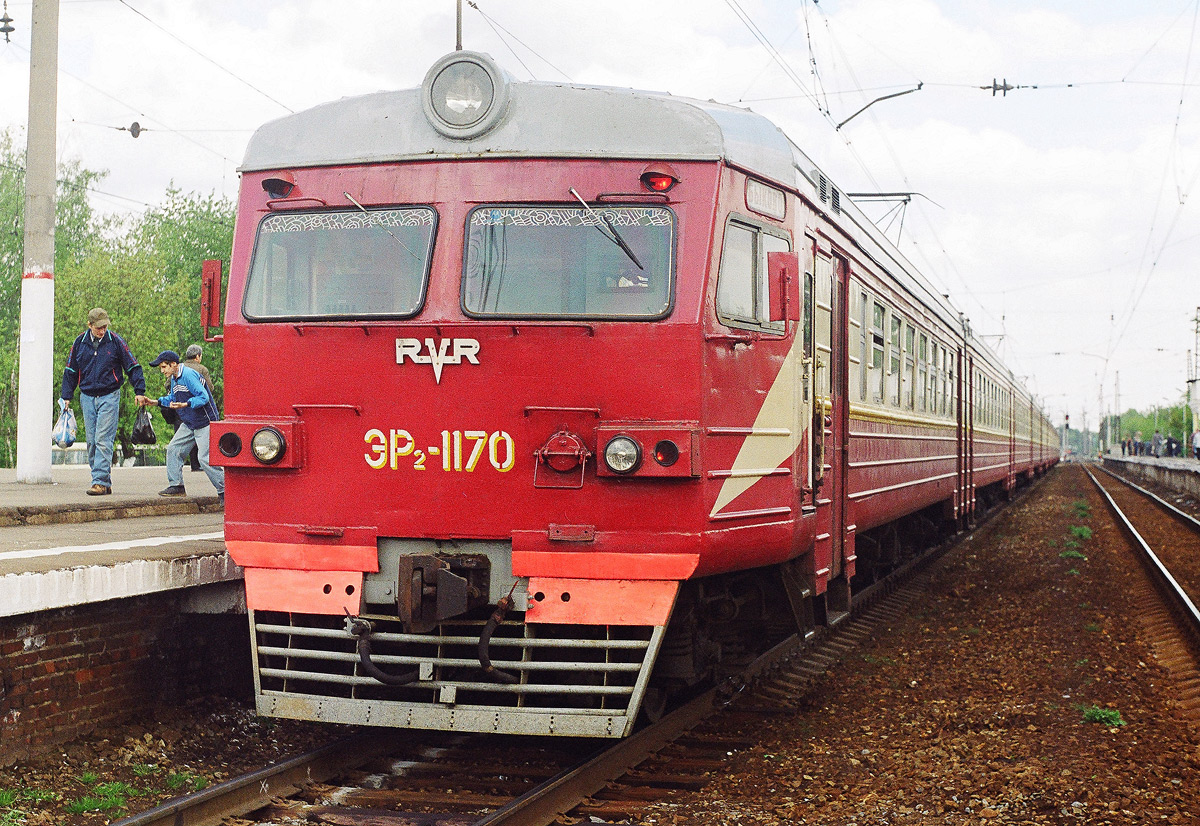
(441, 780)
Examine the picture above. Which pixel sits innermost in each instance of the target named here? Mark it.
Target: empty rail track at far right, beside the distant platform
(1167, 543)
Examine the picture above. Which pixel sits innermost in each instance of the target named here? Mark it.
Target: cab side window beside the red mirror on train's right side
(743, 288)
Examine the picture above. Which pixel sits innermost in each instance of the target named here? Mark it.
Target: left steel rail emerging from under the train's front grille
(248, 793)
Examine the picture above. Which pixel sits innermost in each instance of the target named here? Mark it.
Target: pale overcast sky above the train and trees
(1058, 218)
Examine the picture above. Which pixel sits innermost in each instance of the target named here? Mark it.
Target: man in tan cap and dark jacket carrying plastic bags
(98, 364)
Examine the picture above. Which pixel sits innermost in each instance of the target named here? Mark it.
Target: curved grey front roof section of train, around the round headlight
(543, 121)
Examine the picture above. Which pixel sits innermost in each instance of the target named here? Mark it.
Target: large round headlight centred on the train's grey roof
(465, 95)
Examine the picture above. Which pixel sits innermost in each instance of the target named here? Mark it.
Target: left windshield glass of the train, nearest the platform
(341, 265)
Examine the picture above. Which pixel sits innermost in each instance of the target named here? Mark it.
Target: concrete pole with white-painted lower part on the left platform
(35, 415)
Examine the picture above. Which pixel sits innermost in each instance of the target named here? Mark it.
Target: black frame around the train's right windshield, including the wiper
(673, 270)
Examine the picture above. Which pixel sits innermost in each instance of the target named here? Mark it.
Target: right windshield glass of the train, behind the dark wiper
(562, 262)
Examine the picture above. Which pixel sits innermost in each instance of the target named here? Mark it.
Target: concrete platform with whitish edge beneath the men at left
(62, 548)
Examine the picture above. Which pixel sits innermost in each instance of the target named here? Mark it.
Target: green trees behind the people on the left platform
(145, 271)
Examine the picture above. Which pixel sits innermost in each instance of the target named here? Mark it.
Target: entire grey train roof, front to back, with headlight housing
(538, 119)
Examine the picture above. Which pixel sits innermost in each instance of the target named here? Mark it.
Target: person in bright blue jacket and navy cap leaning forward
(188, 394)
